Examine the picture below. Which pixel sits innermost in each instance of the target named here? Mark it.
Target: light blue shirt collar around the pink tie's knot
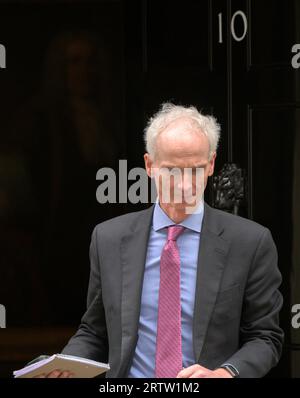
(192, 222)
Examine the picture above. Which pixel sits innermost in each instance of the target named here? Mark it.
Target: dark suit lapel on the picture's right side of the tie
(211, 261)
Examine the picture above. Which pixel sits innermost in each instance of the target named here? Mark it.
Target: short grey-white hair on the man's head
(168, 113)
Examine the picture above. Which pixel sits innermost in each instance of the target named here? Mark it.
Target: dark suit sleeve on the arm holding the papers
(90, 340)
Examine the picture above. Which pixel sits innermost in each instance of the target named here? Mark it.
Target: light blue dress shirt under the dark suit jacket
(143, 364)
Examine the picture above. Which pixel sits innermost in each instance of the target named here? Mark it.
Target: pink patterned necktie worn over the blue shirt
(168, 340)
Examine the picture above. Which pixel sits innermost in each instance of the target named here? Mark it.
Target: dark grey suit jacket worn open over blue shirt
(237, 300)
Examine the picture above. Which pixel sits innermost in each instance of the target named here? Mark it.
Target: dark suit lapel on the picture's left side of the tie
(133, 257)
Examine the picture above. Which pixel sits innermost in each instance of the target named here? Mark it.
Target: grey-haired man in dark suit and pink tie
(181, 293)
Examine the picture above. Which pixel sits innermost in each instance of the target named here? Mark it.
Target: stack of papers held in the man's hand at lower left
(80, 367)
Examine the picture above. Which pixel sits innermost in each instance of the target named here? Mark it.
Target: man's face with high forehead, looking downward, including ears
(182, 154)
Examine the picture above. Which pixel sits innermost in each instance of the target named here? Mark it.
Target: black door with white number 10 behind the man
(232, 58)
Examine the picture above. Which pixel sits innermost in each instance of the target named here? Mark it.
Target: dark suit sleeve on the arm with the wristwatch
(261, 337)
